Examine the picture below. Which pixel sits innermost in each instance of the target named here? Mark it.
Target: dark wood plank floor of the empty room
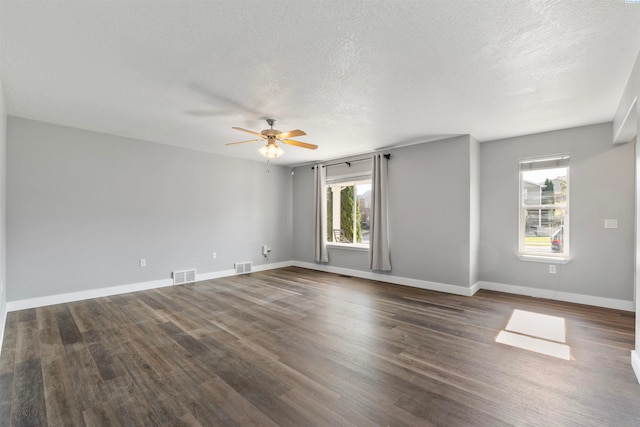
(295, 347)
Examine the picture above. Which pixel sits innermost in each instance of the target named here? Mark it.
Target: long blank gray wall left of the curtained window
(84, 207)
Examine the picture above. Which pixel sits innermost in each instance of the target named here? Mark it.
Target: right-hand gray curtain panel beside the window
(379, 258)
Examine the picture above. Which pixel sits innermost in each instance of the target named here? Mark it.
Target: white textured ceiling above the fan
(357, 76)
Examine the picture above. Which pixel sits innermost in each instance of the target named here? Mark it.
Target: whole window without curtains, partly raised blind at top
(544, 207)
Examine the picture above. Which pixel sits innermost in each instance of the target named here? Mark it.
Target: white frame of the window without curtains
(552, 162)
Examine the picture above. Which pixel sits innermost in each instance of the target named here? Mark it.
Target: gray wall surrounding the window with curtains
(430, 198)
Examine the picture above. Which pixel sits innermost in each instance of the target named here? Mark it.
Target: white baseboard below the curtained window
(415, 283)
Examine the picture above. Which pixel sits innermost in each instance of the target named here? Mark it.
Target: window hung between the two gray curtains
(348, 211)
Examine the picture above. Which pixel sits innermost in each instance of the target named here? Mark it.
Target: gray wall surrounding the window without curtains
(601, 187)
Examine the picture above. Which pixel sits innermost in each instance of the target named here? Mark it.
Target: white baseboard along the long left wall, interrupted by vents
(122, 289)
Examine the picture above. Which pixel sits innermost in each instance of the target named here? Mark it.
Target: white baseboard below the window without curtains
(559, 296)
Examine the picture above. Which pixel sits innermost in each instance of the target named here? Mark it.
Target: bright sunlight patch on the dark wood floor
(536, 332)
